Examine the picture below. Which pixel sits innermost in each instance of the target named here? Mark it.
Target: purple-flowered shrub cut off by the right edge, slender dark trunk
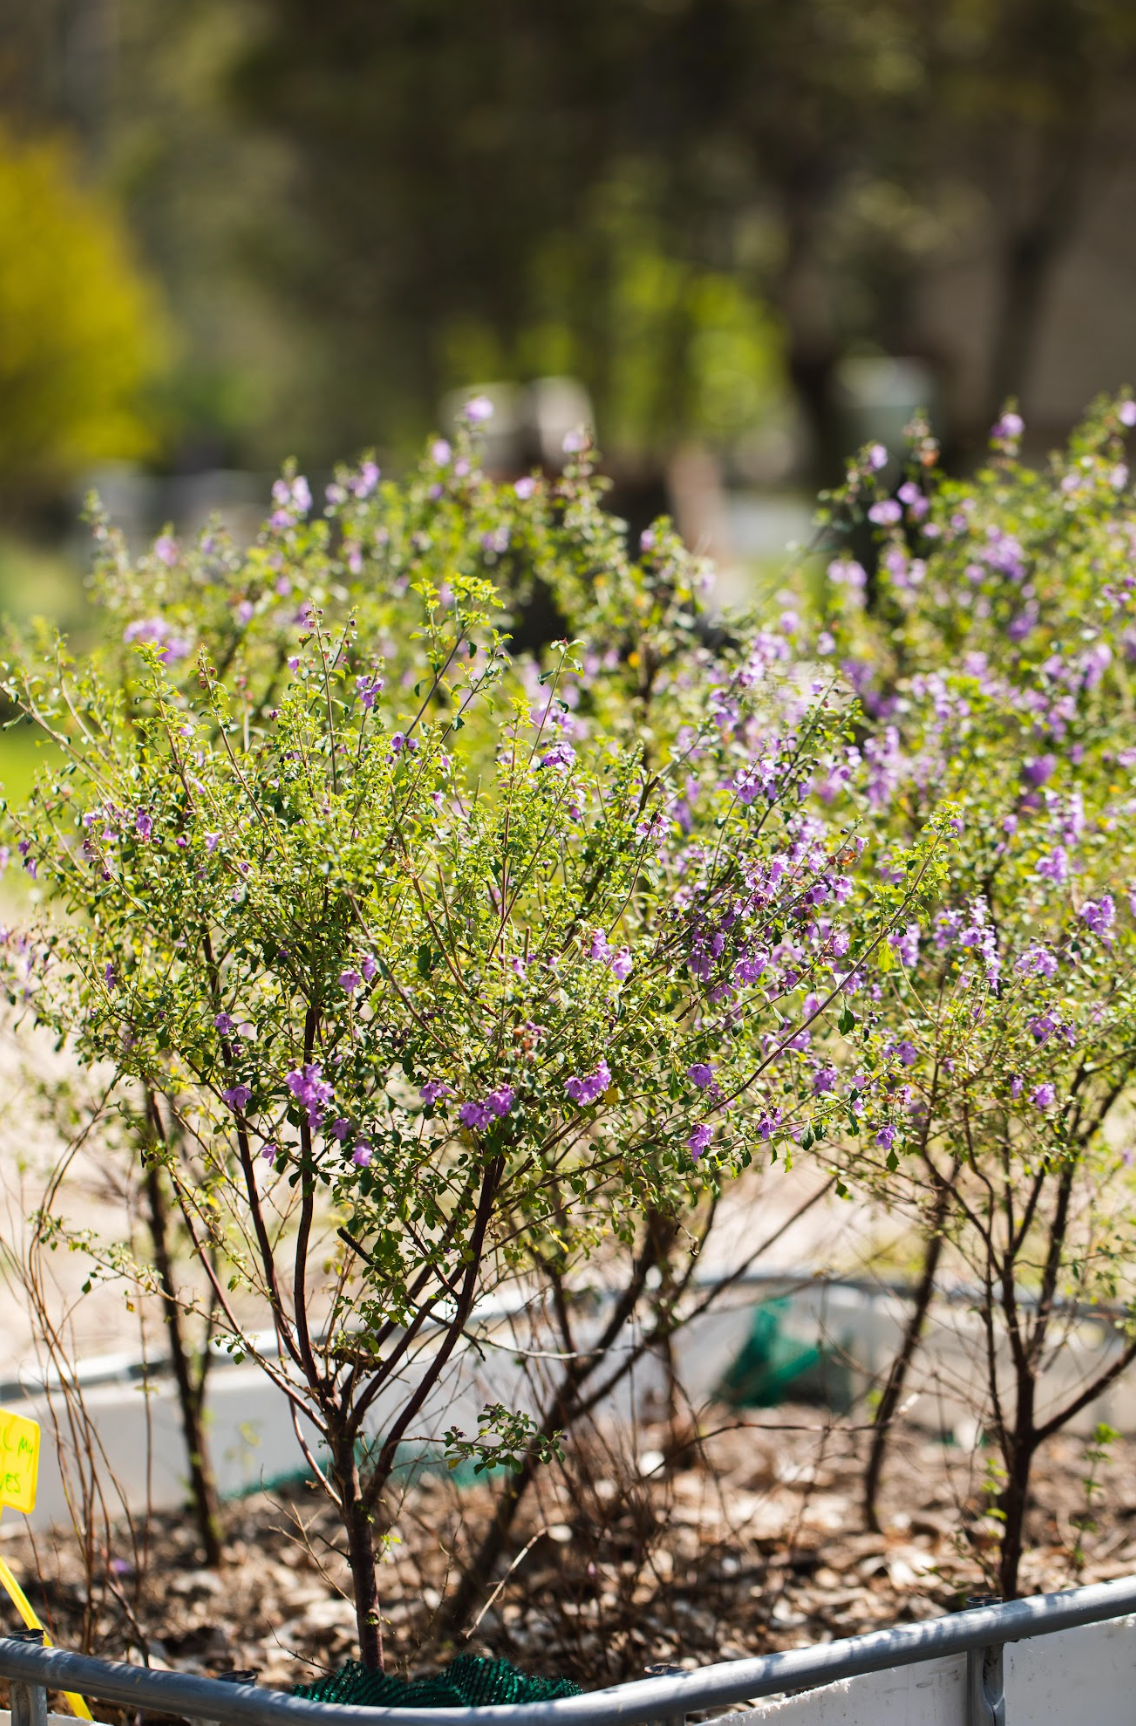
(995, 672)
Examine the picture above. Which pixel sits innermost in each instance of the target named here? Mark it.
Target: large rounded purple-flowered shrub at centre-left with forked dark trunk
(429, 961)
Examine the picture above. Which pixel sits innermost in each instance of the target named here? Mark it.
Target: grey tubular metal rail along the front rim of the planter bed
(980, 1634)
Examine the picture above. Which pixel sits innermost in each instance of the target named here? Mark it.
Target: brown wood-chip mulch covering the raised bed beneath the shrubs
(750, 1540)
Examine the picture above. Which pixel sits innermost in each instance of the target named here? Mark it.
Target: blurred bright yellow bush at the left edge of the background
(80, 325)
